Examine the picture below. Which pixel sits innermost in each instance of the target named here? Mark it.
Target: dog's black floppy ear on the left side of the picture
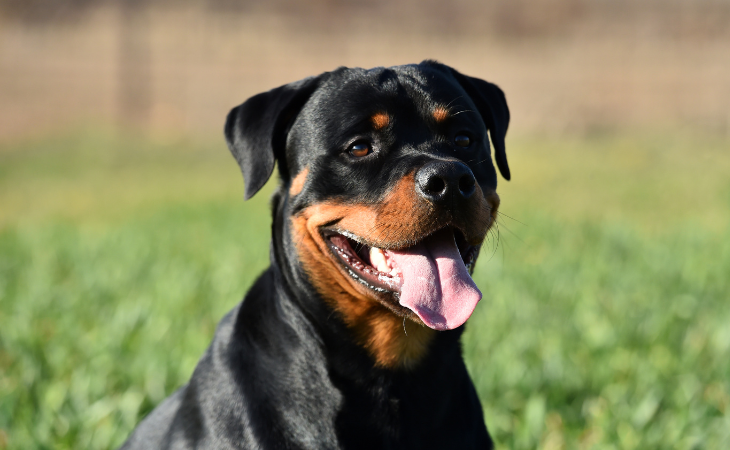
(256, 130)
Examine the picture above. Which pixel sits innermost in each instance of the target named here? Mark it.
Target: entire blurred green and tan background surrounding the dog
(124, 237)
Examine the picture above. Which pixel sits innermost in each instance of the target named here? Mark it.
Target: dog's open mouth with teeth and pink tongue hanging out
(431, 278)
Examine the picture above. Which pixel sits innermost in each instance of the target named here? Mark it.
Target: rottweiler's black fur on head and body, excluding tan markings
(283, 371)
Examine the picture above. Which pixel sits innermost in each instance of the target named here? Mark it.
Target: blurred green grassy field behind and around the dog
(605, 322)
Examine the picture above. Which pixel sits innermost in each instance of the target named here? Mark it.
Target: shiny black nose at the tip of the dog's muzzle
(443, 181)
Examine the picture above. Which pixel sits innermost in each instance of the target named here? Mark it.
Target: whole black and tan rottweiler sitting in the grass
(350, 339)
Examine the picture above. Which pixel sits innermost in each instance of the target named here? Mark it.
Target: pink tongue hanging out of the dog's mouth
(436, 284)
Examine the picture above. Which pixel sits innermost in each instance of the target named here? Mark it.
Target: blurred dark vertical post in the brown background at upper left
(134, 65)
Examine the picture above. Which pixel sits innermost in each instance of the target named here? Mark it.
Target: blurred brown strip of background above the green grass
(566, 65)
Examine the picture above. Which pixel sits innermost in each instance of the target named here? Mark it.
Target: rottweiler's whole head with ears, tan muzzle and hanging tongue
(390, 189)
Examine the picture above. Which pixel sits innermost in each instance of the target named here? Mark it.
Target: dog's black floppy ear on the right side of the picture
(492, 106)
